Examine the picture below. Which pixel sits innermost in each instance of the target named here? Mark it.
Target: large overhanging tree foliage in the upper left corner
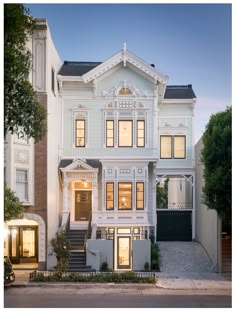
(23, 114)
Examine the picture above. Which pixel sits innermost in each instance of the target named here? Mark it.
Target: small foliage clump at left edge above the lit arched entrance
(13, 209)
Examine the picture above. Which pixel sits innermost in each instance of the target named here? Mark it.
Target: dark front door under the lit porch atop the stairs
(83, 204)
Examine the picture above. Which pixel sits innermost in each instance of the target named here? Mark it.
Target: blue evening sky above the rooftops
(191, 43)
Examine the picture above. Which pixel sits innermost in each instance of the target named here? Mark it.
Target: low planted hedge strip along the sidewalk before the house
(111, 277)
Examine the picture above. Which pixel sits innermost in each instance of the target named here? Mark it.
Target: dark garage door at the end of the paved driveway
(174, 225)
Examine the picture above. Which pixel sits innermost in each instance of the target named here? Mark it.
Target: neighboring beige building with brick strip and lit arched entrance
(31, 169)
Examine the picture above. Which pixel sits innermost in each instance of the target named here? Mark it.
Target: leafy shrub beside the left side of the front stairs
(60, 248)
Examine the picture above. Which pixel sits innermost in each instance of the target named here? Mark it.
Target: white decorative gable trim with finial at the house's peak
(126, 58)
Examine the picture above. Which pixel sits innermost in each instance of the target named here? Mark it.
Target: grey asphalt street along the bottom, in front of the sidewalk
(74, 298)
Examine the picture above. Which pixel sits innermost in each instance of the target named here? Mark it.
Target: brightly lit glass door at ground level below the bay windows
(123, 253)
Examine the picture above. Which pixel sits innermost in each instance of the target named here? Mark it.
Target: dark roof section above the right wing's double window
(179, 92)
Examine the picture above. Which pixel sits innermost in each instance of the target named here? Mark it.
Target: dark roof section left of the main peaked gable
(77, 68)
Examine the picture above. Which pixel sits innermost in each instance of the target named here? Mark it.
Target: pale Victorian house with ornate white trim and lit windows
(123, 131)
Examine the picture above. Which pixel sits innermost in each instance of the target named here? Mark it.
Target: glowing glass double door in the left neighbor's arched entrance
(23, 244)
